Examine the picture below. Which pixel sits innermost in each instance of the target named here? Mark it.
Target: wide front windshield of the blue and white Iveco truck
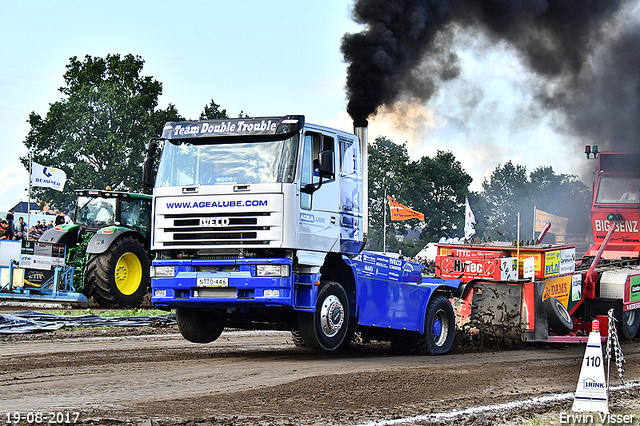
(184, 163)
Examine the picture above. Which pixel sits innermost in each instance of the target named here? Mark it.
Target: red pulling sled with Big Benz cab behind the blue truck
(540, 292)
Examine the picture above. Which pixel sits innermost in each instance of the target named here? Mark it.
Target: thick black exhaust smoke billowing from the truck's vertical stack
(556, 39)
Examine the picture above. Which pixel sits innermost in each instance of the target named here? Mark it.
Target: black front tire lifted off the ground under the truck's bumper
(199, 325)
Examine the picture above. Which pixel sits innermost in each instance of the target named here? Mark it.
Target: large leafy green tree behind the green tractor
(98, 131)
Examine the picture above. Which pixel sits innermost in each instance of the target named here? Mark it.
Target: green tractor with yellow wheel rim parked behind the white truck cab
(108, 246)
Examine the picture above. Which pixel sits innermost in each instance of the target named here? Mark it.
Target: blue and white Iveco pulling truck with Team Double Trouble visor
(260, 223)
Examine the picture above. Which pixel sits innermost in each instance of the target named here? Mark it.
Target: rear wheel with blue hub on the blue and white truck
(440, 328)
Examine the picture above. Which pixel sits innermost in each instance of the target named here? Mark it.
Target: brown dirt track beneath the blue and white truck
(127, 376)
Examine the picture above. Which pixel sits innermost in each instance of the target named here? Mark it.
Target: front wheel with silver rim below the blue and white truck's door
(326, 328)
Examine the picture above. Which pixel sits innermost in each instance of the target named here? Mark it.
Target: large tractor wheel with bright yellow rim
(118, 277)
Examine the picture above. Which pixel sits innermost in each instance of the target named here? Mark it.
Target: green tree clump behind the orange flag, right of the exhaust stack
(434, 186)
